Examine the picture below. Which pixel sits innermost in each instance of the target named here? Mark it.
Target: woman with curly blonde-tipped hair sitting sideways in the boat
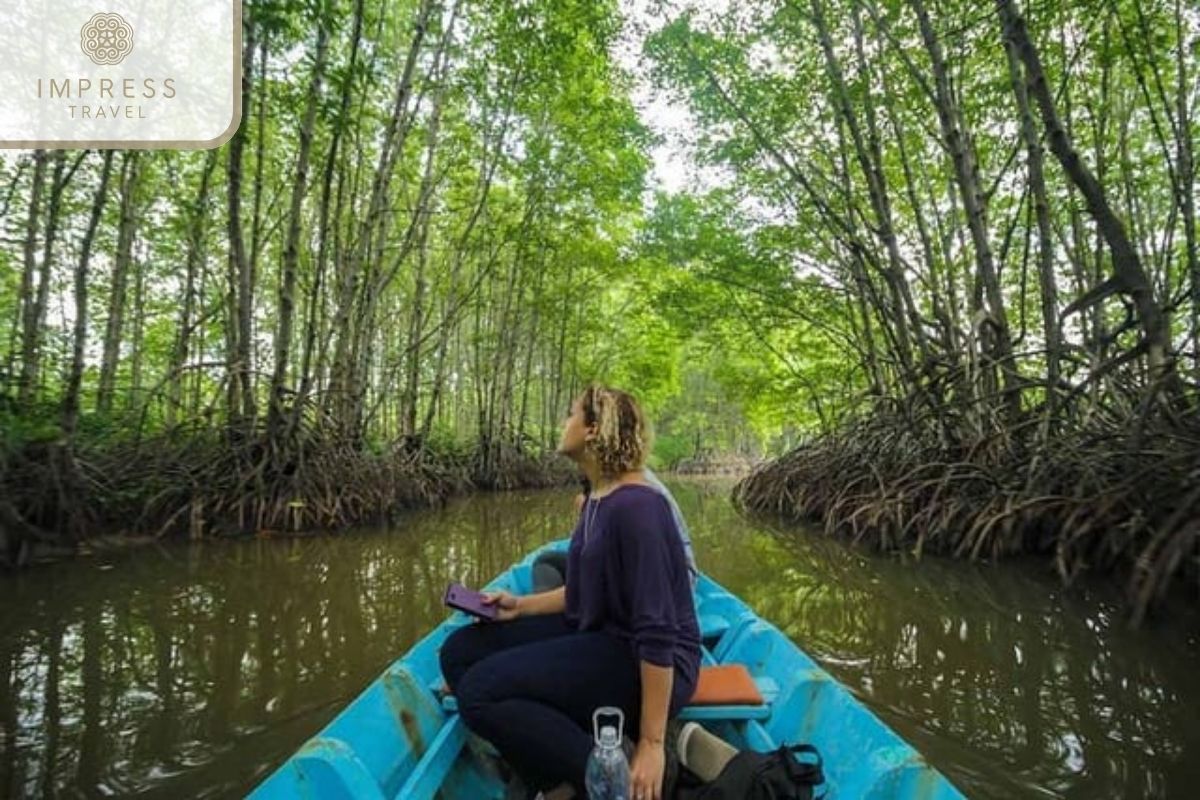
(621, 633)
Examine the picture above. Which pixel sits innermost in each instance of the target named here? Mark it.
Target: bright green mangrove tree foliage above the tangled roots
(508, 248)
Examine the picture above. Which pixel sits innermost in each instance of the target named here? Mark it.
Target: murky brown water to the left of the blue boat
(193, 671)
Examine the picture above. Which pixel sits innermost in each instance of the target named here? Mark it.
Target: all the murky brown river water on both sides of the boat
(195, 670)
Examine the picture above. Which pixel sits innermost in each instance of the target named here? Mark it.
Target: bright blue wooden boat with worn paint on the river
(401, 739)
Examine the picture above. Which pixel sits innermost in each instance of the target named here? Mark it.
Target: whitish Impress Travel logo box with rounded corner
(71, 77)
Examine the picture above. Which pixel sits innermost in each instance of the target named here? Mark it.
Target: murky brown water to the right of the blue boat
(1007, 685)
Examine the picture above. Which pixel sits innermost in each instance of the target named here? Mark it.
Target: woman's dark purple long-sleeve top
(627, 574)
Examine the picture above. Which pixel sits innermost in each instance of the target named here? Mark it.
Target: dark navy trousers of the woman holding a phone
(530, 687)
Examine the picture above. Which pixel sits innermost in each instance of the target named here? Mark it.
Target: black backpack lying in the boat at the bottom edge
(751, 775)
